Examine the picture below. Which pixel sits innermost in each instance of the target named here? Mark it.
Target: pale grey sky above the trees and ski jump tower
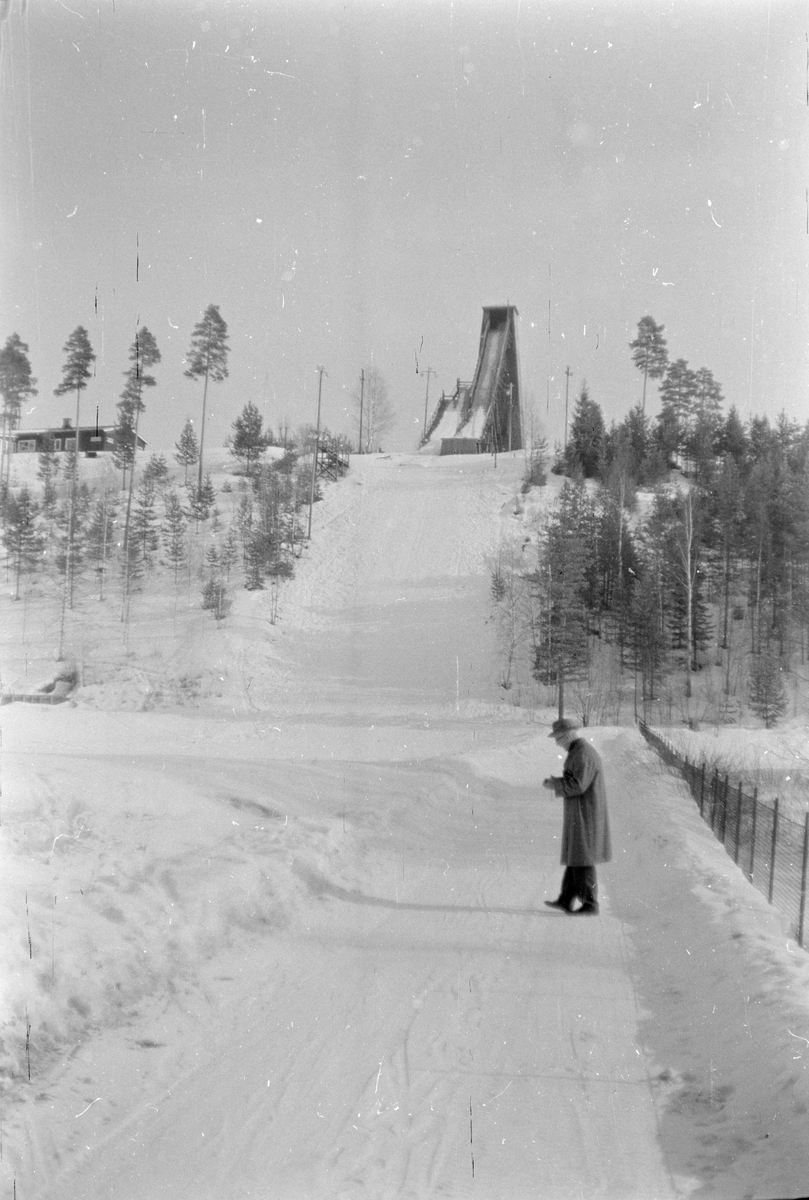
(352, 183)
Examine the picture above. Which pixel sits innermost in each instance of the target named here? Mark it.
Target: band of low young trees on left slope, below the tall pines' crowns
(93, 535)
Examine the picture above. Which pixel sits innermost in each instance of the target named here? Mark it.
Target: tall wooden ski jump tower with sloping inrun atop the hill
(484, 416)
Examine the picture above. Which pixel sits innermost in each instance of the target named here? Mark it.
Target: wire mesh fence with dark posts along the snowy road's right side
(771, 849)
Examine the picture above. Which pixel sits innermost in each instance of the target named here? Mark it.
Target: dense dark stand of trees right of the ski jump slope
(712, 573)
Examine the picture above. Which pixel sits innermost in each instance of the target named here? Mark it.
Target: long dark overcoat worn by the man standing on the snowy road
(586, 826)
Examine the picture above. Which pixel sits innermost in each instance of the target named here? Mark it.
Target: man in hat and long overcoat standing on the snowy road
(586, 824)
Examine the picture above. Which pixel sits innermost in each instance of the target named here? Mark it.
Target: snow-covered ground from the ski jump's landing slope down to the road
(291, 944)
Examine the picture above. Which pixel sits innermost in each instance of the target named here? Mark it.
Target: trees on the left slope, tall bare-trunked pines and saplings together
(133, 523)
